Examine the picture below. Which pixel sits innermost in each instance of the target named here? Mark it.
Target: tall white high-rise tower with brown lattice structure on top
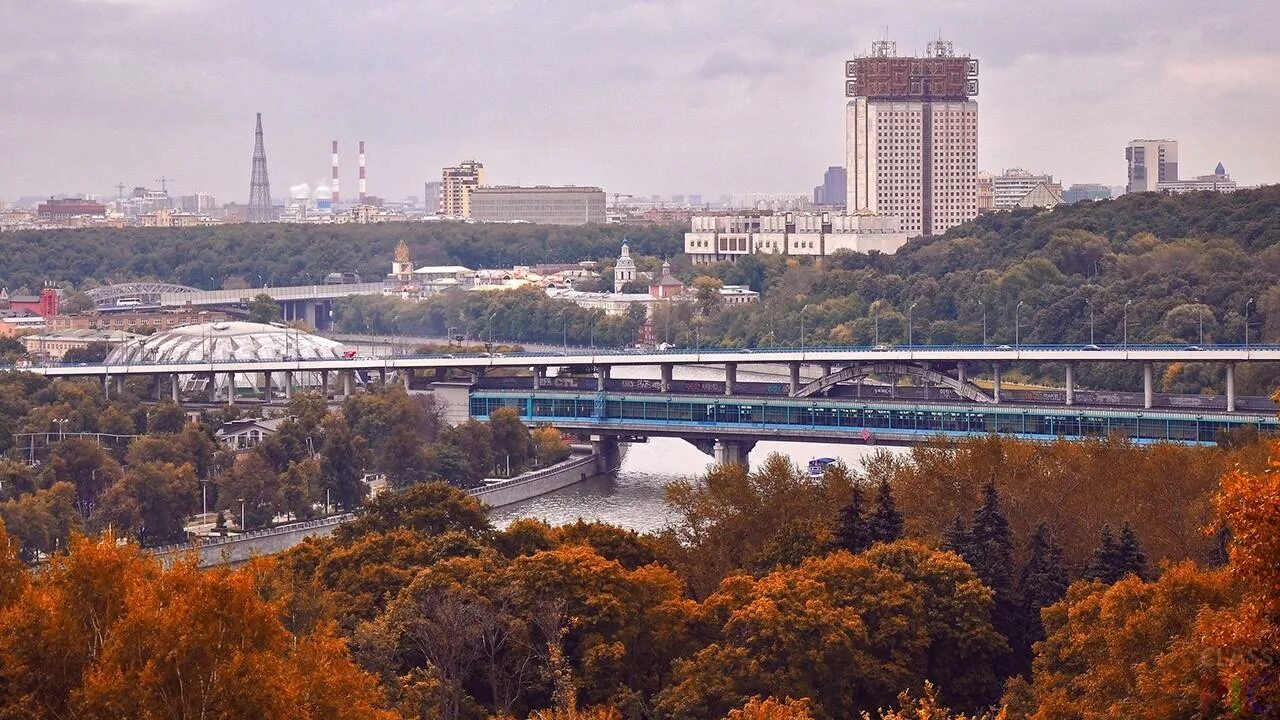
(912, 138)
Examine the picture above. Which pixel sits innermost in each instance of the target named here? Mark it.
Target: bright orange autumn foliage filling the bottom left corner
(106, 632)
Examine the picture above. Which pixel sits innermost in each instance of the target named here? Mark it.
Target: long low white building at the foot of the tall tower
(714, 239)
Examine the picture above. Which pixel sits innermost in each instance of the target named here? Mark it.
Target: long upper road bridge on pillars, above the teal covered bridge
(948, 367)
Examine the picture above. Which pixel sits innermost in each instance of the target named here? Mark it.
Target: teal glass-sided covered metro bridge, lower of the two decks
(730, 427)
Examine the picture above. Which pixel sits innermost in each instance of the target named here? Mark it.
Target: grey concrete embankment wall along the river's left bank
(235, 550)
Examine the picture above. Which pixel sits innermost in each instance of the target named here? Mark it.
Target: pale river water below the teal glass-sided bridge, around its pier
(634, 498)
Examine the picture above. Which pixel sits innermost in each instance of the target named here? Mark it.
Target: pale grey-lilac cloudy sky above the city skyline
(708, 97)
